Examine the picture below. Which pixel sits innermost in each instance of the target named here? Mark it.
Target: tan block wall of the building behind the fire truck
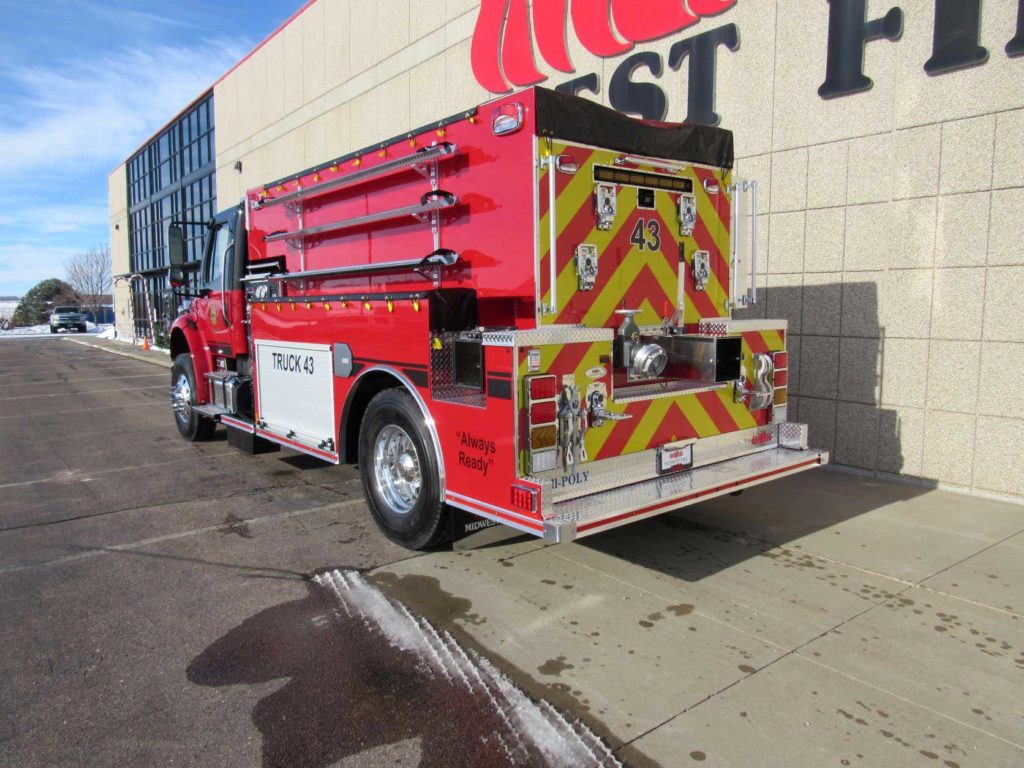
(889, 232)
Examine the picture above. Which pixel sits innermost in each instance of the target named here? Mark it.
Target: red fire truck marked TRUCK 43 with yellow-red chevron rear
(524, 312)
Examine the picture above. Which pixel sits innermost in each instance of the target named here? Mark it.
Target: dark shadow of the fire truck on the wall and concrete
(838, 351)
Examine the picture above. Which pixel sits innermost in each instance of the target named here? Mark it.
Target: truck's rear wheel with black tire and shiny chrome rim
(416, 521)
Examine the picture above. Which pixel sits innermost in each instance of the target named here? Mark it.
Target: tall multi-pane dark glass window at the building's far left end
(173, 179)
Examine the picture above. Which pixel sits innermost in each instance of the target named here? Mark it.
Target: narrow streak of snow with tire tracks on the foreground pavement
(531, 729)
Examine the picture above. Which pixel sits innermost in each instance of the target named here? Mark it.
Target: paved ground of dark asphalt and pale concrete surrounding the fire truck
(158, 608)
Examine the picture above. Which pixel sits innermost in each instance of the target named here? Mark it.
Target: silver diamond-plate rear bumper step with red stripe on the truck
(574, 519)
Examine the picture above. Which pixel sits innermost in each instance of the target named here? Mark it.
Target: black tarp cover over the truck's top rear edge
(575, 119)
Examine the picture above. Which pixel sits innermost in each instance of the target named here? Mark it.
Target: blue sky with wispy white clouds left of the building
(82, 84)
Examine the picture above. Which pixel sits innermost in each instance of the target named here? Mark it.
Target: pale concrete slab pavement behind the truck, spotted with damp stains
(823, 620)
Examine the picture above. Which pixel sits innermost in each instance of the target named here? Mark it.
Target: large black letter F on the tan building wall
(849, 31)
